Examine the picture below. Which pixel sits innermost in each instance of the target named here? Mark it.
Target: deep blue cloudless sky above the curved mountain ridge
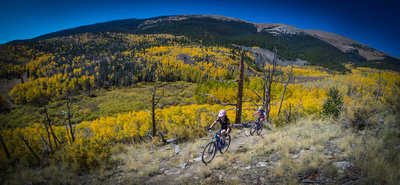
(375, 23)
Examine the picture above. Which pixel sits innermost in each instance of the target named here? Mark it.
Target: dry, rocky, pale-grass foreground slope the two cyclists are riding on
(308, 149)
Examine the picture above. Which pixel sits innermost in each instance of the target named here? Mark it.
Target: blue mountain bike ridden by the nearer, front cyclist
(211, 148)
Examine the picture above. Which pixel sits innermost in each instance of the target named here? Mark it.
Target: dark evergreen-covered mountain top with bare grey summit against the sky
(292, 42)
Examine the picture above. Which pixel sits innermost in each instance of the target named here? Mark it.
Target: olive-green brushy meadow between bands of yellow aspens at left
(105, 103)
